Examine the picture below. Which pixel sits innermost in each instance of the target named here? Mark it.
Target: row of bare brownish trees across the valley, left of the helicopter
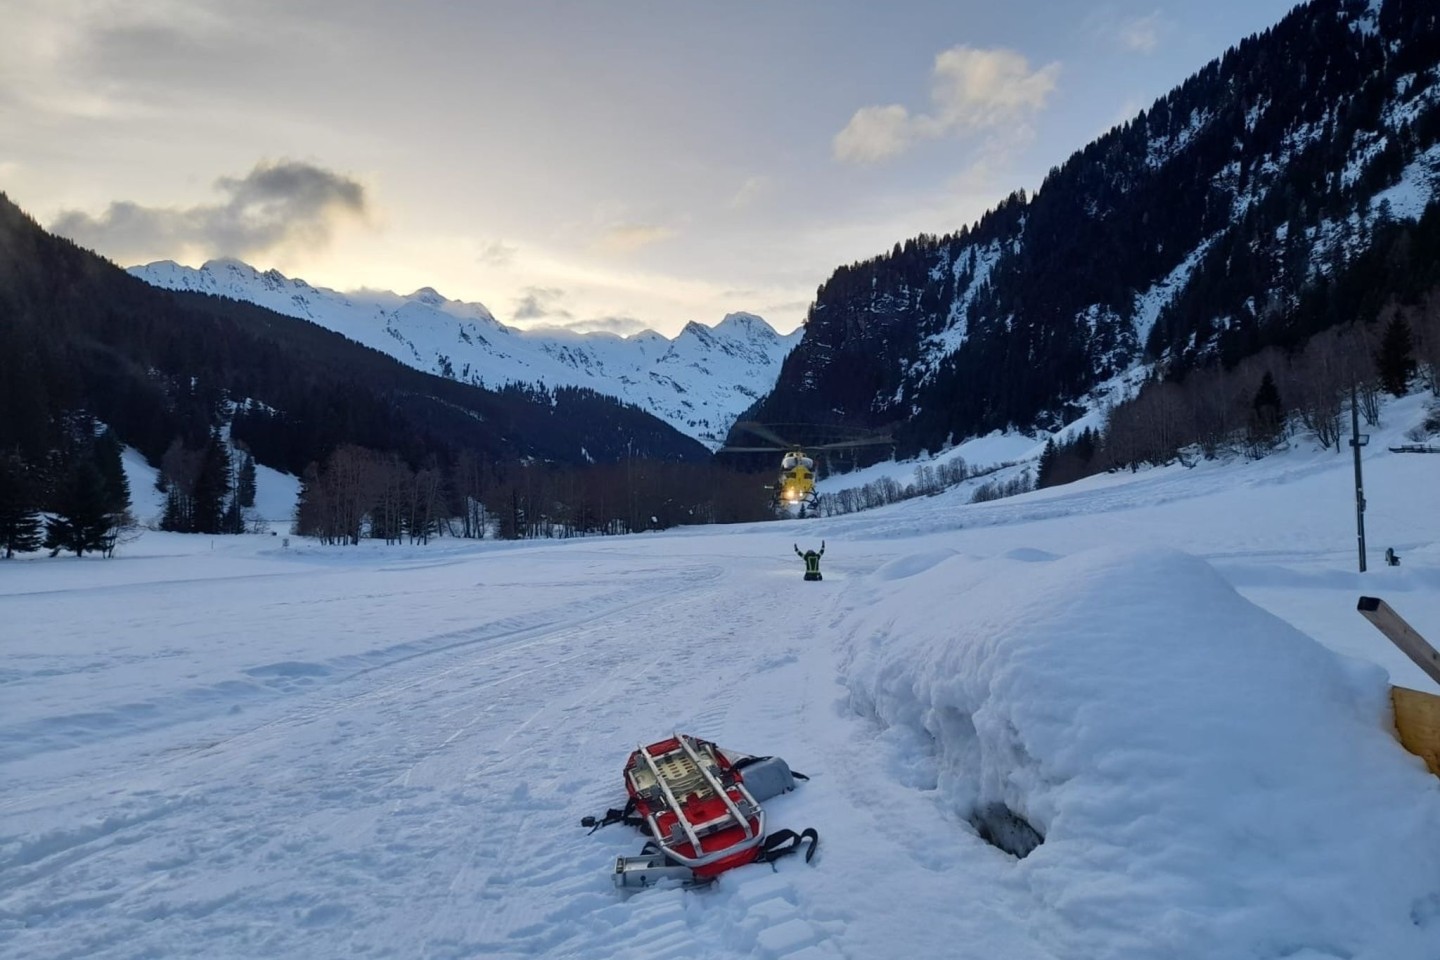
(359, 494)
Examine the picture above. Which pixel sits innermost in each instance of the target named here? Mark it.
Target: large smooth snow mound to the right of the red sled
(1210, 782)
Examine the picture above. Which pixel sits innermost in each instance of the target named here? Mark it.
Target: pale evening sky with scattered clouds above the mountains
(603, 165)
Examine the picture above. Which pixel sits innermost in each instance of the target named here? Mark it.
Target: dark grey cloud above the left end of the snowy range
(276, 207)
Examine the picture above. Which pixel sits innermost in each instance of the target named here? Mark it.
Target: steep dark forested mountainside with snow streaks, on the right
(1218, 222)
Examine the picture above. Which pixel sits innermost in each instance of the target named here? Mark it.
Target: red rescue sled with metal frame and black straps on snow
(702, 815)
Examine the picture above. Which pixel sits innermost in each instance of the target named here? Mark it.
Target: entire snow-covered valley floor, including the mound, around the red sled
(234, 748)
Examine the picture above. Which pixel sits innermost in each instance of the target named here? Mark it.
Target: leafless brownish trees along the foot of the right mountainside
(1264, 401)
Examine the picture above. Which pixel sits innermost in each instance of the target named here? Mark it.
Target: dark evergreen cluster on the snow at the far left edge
(77, 500)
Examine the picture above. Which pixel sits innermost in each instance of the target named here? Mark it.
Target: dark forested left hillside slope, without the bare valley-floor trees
(166, 372)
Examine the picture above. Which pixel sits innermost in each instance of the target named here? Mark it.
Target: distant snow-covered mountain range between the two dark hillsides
(699, 382)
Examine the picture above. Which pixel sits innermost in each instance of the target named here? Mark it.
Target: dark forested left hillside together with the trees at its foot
(89, 352)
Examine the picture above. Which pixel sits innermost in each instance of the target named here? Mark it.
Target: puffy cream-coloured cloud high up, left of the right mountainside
(971, 91)
